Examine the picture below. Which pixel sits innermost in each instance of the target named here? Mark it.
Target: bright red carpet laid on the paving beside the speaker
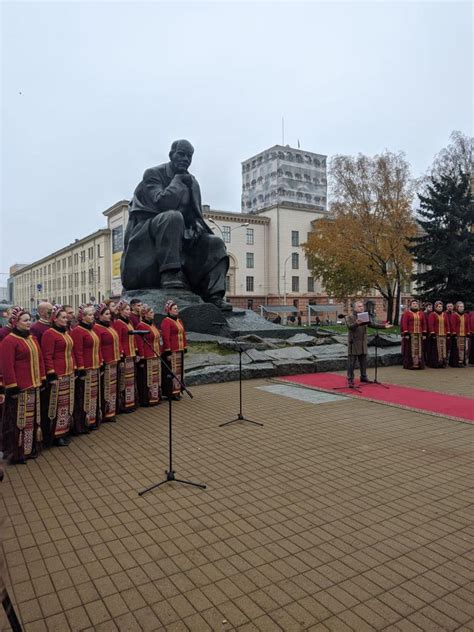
(452, 406)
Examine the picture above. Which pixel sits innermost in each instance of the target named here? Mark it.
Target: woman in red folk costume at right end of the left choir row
(174, 348)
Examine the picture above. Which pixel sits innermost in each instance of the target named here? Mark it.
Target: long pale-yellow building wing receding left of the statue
(76, 274)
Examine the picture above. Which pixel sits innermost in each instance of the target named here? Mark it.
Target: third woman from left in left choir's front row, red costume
(87, 408)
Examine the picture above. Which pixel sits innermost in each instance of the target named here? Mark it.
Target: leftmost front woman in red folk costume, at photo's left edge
(22, 368)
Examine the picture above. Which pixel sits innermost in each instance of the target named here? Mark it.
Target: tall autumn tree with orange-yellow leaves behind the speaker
(364, 242)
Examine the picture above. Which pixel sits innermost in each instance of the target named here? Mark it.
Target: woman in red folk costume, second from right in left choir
(149, 369)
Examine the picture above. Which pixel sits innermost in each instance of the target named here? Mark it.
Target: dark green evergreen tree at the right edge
(447, 245)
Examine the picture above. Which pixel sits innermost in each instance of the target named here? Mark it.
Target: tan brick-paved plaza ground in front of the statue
(338, 516)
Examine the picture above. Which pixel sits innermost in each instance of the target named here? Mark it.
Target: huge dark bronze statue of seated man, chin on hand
(167, 242)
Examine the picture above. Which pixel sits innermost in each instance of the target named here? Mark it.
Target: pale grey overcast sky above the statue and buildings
(94, 92)
